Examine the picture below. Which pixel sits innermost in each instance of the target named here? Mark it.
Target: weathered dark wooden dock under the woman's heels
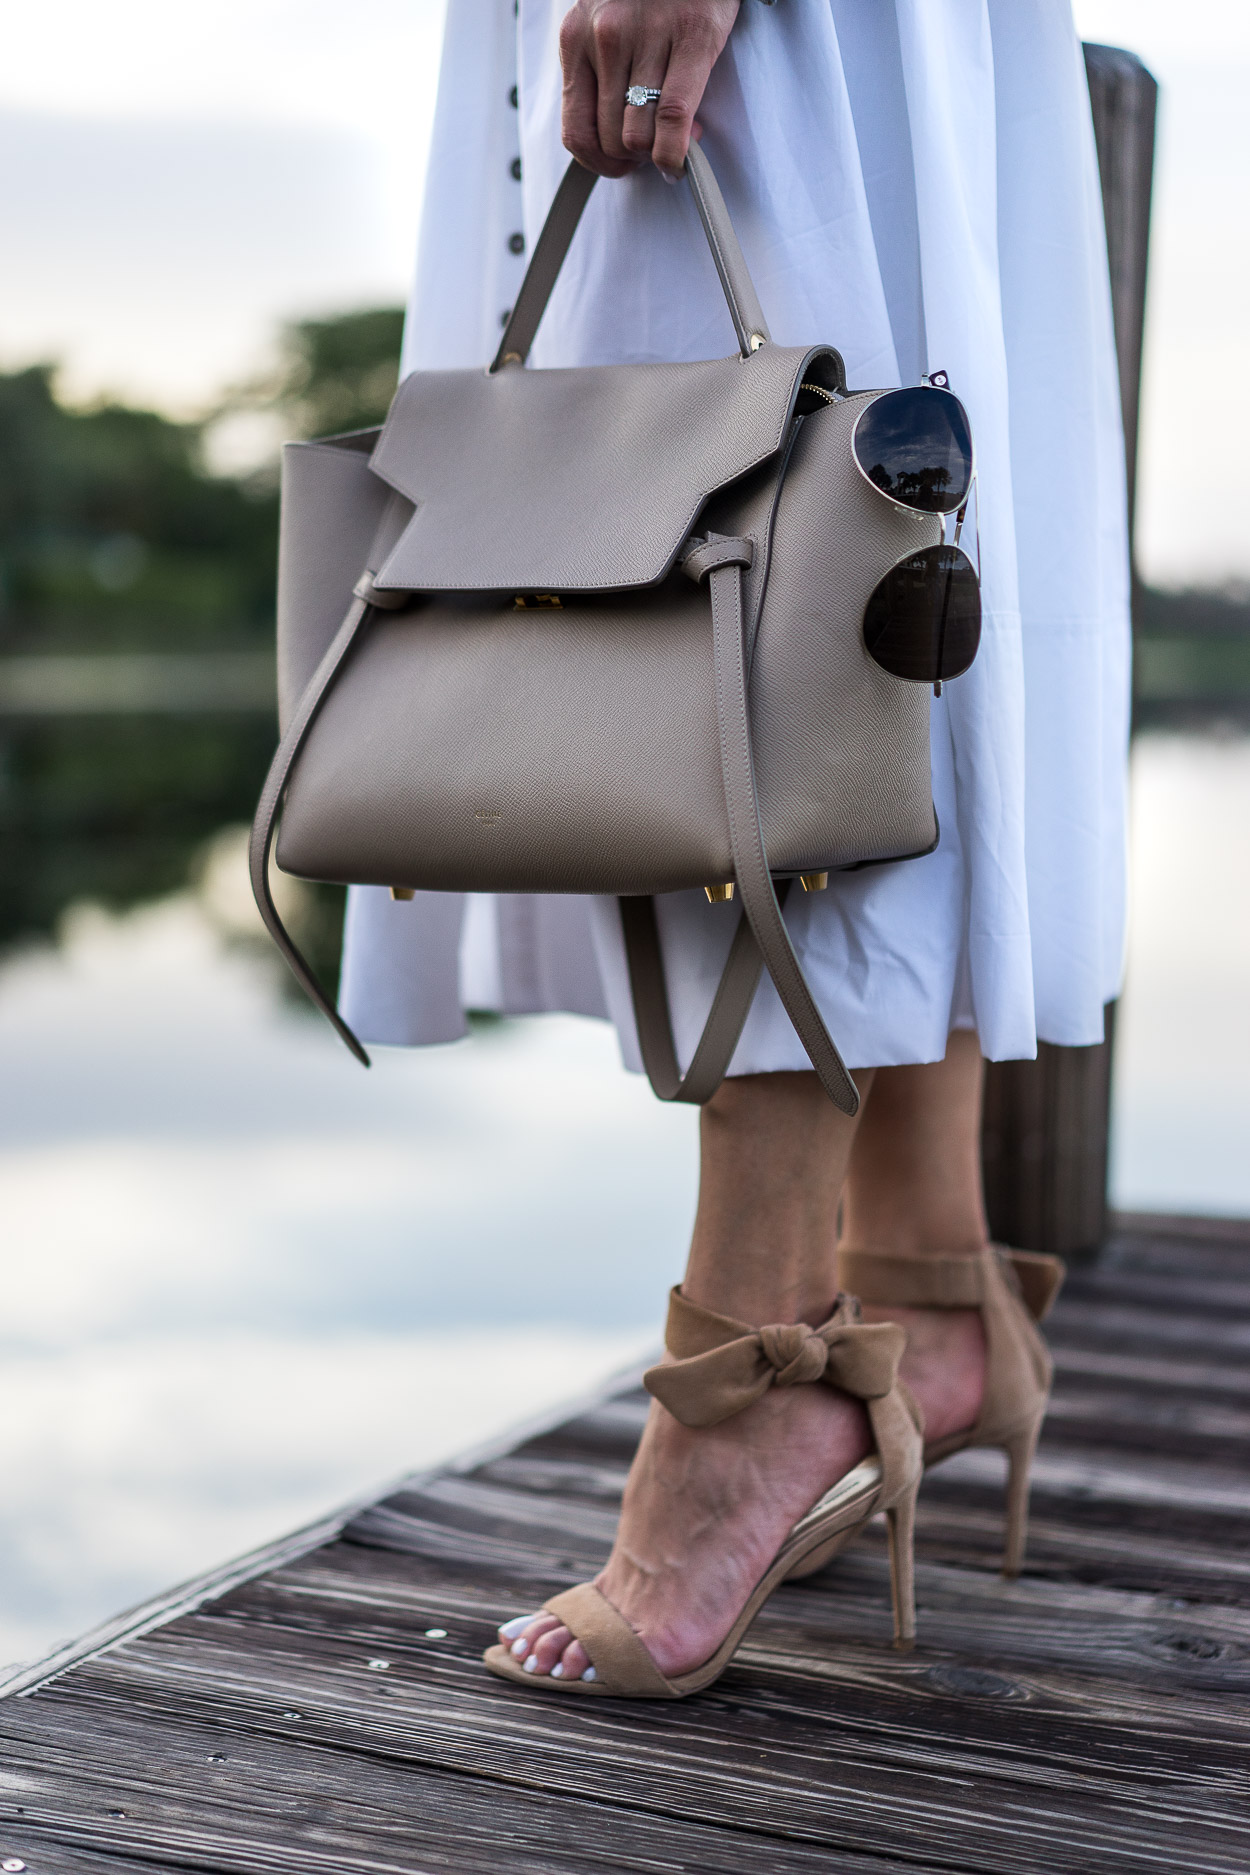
(327, 1713)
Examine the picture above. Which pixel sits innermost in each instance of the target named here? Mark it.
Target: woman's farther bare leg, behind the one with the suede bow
(914, 1188)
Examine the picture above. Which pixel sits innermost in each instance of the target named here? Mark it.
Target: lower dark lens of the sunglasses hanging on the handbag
(925, 618)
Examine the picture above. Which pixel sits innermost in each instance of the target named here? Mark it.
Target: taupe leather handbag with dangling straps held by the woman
(599, 631)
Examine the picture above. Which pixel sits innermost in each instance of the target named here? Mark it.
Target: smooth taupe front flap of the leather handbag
(574, 481)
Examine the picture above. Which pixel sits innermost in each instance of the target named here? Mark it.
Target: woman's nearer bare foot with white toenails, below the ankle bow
(704, 1516)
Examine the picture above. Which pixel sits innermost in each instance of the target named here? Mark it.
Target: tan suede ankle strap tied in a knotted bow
(722, 1366)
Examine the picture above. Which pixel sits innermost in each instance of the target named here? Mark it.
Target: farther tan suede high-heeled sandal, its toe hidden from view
(1013, 1291)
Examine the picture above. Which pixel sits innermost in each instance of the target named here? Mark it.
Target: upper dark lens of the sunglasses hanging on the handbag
(917, 449)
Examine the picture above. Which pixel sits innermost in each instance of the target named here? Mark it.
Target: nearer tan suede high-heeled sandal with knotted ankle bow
(721, 1368)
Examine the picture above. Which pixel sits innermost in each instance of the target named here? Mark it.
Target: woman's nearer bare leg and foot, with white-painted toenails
(707, 1510)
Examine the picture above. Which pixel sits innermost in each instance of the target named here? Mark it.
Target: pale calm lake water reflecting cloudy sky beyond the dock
(246, 1282)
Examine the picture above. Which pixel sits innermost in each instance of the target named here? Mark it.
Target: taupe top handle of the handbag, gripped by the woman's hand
(561, 226)
